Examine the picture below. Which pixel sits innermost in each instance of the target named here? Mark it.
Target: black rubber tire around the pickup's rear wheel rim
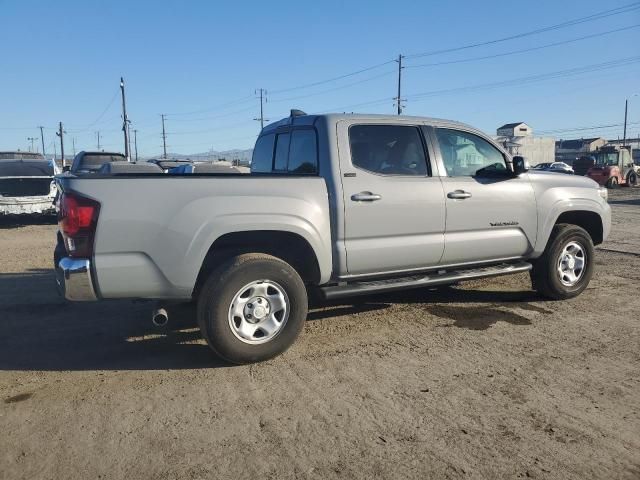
(223, 287)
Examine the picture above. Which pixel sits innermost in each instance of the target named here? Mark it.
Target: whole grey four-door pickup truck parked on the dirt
(336, 204)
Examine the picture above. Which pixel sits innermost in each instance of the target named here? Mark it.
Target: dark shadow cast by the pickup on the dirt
(40, 331)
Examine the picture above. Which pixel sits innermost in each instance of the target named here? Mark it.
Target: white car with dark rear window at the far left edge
(26, 183)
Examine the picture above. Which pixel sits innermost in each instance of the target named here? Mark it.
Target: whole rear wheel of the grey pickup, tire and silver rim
(252, 308)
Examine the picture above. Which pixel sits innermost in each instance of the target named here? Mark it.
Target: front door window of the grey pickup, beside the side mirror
(466, 154)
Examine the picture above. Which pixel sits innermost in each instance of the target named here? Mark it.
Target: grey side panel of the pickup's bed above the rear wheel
(154, 231)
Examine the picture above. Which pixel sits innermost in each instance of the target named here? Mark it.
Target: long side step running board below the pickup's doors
(441, 277)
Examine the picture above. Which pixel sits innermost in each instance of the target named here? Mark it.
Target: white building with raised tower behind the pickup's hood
(517, 139)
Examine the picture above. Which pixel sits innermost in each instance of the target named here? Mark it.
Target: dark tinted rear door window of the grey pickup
(388, 149)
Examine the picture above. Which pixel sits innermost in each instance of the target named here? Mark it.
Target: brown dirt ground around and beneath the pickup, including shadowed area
(483, 380)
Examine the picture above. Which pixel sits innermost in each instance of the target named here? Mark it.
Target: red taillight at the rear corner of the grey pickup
(78, 218)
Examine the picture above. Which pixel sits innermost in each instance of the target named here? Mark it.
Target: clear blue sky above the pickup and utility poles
(200, 63)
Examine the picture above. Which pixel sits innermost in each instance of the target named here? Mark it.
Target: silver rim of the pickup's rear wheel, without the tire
(259, 312)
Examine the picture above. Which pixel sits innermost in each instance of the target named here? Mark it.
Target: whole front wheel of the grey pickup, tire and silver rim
(566, 266)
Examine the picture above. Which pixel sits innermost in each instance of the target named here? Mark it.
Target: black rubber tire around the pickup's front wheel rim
(545, 277)
